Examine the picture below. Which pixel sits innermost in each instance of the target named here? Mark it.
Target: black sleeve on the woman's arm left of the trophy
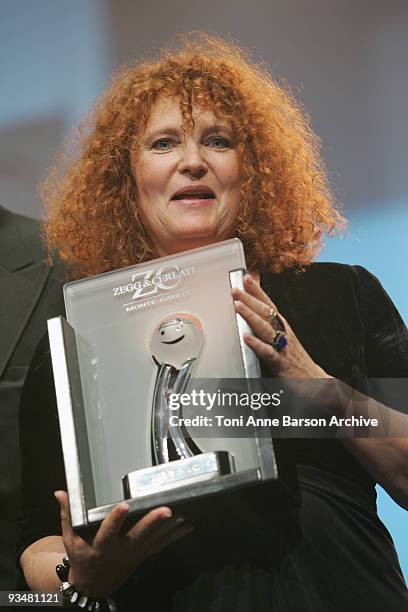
(42, 469)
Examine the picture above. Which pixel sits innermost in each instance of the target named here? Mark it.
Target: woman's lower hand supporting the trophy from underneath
(100, 566)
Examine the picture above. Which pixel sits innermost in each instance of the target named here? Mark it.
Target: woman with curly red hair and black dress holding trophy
(192, 149)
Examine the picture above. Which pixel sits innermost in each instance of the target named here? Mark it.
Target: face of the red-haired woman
(188, 183)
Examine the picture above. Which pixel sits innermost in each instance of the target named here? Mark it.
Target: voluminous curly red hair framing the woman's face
(94, 223)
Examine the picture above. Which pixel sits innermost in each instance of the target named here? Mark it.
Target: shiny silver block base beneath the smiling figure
(180, 473)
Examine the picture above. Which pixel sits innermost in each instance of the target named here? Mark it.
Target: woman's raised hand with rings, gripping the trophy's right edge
(256, 308)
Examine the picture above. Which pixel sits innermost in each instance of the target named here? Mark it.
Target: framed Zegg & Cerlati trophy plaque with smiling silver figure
(133, 337)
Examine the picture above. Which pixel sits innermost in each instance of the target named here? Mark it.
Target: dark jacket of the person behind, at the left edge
(29, 295)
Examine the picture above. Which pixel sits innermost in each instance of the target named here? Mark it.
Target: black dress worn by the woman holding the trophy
(344, 559)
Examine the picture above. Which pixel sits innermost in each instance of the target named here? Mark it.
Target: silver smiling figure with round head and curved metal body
(175, 345)
